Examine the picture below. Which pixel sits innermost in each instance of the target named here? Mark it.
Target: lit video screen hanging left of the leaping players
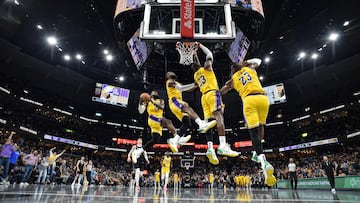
(109, 94)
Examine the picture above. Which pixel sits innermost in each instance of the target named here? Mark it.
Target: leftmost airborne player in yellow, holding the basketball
(156, 122)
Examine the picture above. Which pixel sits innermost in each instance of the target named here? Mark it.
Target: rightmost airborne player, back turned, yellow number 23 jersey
(255, 107)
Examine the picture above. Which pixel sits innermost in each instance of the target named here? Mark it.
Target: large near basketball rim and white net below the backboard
(186, 51)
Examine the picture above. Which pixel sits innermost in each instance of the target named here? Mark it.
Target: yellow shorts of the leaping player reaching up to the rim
(211, 101)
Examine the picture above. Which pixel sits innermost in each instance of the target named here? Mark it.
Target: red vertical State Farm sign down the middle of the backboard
(187, 12)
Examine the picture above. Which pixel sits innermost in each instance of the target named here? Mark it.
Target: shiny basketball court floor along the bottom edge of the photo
(57, 193)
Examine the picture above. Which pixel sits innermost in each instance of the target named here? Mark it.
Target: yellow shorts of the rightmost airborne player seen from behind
(256, 108)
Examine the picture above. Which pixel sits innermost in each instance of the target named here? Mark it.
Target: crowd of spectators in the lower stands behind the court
(36, 164)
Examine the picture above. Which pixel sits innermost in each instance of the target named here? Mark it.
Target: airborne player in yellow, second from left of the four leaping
(181, 109)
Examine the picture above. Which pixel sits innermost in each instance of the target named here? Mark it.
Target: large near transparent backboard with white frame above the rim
(212, 20)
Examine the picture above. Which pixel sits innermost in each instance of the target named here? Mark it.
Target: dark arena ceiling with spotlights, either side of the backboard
(86, 27)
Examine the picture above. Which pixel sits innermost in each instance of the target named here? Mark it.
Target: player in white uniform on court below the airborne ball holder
(138, 166)
